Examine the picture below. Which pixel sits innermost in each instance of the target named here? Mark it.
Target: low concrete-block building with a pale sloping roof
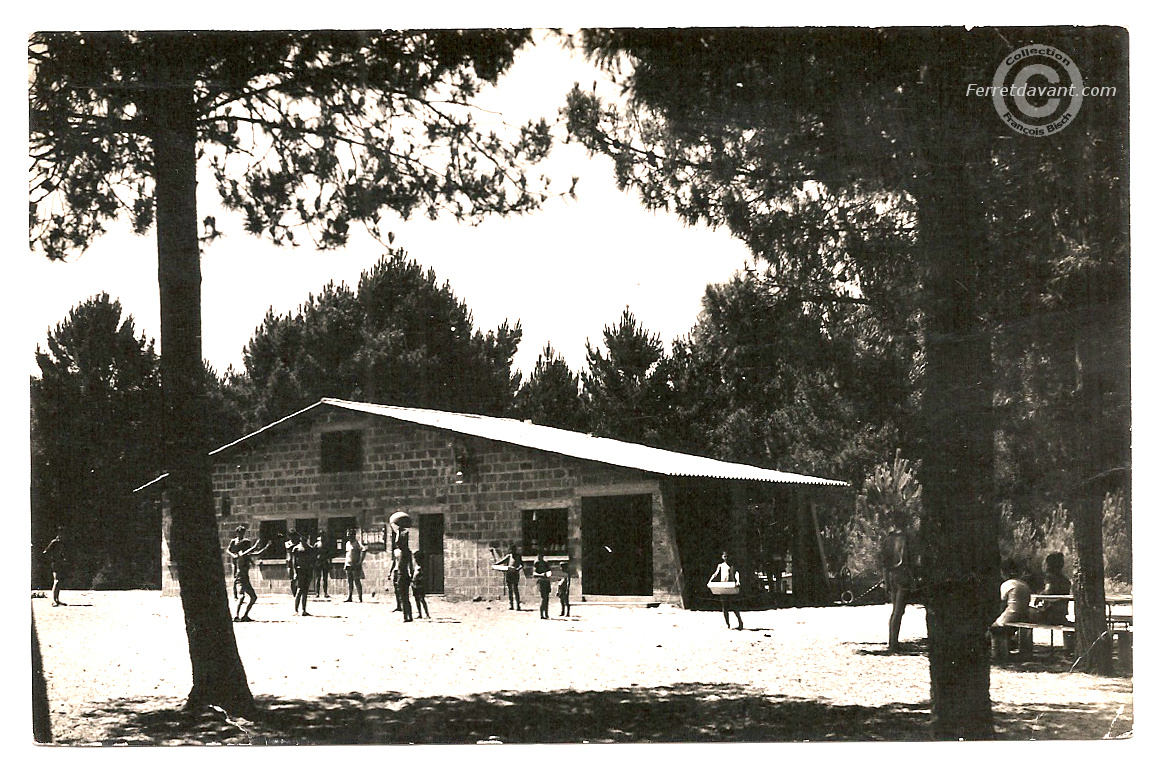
(636, 524)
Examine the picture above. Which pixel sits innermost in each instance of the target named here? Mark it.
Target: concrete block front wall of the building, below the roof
(413, 468)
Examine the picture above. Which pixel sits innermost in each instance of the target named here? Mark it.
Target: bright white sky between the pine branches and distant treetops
(565, 273)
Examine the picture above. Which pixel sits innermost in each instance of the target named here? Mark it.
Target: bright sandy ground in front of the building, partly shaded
(118, 671)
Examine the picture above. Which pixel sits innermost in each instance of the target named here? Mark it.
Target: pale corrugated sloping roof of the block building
(566, 443)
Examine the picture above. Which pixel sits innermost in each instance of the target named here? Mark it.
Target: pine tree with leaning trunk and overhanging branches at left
(305, 135)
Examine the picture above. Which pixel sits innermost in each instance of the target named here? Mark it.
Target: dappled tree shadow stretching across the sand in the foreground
(678, 713)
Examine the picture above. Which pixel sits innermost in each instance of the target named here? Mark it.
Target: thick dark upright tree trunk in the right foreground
(961, 532)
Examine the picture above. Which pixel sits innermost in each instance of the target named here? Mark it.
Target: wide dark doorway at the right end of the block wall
(617, 546)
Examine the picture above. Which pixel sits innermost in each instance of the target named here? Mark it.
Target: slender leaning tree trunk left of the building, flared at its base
(218, 674)
